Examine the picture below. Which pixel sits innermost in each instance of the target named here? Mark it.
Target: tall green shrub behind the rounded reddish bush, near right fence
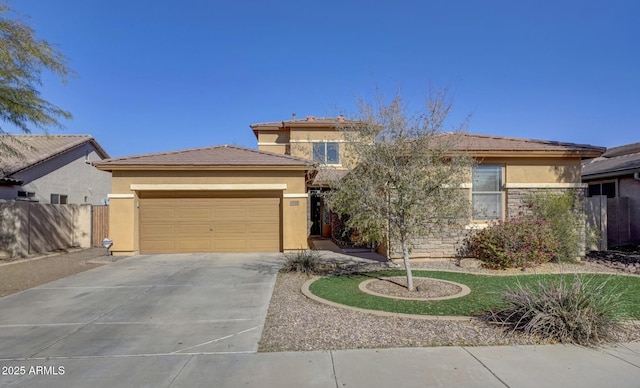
(563, 212)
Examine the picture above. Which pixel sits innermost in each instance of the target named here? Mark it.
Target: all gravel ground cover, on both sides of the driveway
(297, 323)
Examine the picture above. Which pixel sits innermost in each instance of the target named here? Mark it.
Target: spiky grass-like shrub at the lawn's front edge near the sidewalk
(575, 310)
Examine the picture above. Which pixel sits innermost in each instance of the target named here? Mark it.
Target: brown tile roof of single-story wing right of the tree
(479, 144)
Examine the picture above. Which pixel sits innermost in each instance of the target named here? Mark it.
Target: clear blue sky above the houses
(159, 75)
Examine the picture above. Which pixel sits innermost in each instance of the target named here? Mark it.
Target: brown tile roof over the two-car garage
(217, 156)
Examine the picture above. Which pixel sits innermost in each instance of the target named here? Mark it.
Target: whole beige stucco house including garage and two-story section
(227, 198)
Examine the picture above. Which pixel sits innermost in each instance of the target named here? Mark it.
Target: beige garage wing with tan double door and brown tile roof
(213, 199)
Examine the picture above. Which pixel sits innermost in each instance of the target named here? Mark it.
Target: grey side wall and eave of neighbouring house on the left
(70, 174)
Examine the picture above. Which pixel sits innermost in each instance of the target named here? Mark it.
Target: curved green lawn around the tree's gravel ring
(485, 292)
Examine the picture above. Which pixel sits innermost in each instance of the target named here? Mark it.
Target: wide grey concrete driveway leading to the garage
(142, 306)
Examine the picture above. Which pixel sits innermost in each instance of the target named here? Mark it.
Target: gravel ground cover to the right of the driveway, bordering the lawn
(296, 323)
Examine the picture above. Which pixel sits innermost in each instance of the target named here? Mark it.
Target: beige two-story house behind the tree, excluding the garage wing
(509, 169)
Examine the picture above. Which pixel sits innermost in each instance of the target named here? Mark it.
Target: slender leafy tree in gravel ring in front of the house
(407, 175)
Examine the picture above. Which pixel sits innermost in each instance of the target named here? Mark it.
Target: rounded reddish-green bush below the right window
(518, 242)
